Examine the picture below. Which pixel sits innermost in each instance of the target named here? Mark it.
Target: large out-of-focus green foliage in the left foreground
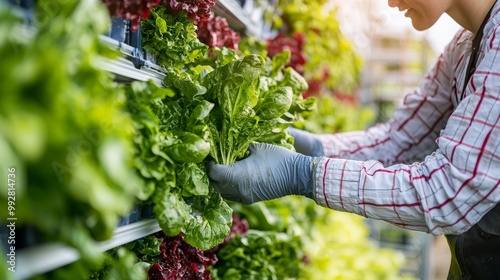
(63, 127)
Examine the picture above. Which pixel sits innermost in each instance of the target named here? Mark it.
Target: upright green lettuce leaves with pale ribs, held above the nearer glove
(234, 122)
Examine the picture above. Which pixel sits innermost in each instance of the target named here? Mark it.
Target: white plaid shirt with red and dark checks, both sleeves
(435, 166)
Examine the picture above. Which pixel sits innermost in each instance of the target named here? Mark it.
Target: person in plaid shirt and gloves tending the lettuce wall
(433, 167)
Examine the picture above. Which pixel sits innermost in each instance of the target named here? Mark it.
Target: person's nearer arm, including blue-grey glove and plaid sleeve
(445, 194)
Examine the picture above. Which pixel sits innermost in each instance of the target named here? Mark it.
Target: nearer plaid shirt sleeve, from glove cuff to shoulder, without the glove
(452, 188)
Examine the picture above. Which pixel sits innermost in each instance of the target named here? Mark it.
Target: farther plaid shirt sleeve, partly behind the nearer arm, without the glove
(411, 133)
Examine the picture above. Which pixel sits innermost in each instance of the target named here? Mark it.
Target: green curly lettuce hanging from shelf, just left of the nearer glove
(171, 124)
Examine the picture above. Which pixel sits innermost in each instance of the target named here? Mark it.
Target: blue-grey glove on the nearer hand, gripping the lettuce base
(269, 172)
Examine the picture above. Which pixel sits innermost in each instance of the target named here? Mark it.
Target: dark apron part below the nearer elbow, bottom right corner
(476, 252)
